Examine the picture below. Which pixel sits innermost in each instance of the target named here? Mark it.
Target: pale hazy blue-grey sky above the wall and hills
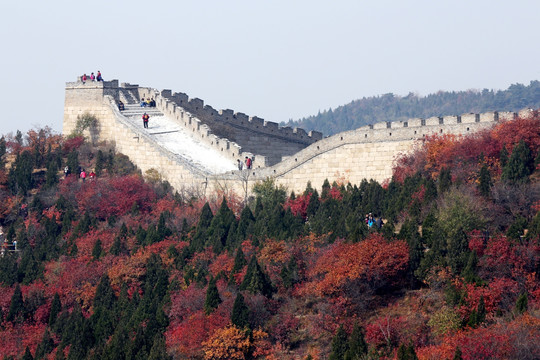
(273, 59)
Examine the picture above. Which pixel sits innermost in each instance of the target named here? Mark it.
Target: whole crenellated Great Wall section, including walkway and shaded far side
(292, 157)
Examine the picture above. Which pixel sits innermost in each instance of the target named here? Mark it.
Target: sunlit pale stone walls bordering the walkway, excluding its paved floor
(365, 153)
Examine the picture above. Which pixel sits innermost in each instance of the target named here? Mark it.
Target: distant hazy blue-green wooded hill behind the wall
(390, 107)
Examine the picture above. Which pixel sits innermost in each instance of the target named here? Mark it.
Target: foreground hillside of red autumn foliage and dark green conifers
(119, 267)
